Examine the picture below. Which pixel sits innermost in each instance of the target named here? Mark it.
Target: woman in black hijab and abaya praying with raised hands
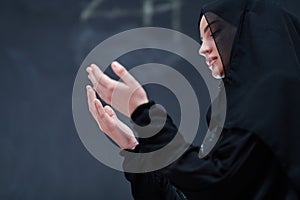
(254, 46)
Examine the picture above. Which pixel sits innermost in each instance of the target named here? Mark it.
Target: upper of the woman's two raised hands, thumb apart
(124, 96)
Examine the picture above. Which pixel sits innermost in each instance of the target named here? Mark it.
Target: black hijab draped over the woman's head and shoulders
(259, 43)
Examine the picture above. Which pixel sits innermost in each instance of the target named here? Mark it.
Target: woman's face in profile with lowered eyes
(209, 50)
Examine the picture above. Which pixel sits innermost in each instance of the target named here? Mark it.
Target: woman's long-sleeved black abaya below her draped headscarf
(240, 166)
